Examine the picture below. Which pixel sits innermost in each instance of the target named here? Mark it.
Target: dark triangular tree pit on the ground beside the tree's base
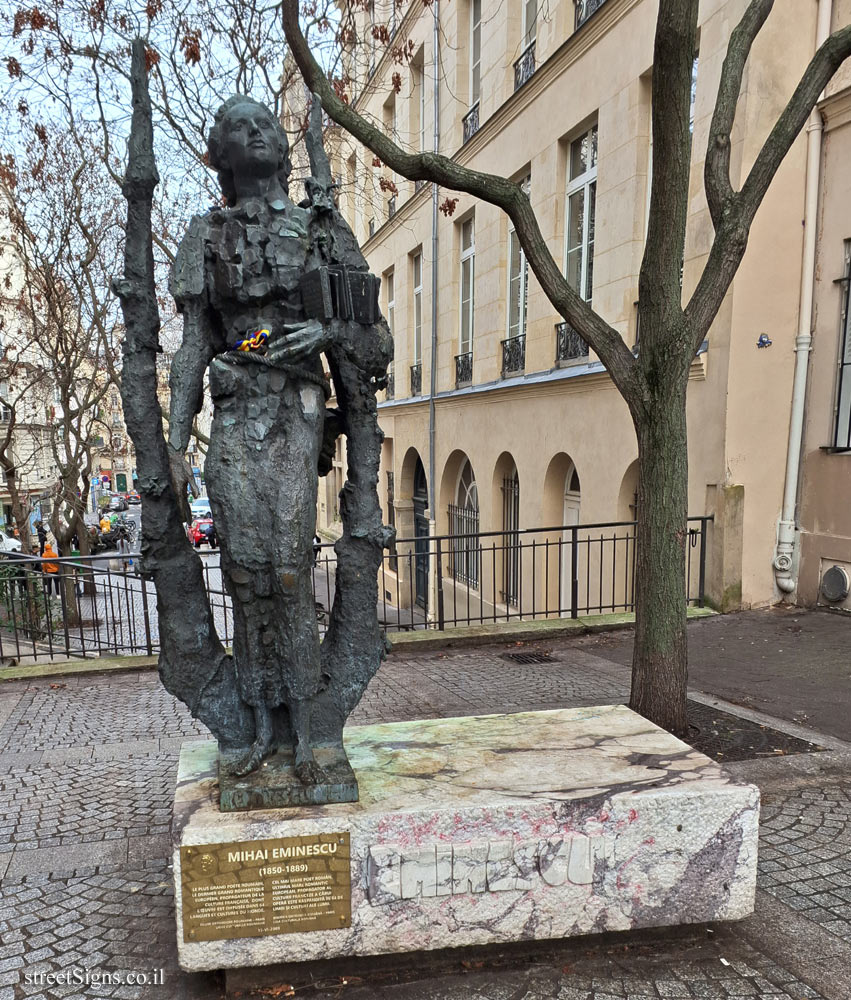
(725, 737)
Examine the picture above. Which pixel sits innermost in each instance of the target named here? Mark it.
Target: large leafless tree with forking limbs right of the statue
(654, 383)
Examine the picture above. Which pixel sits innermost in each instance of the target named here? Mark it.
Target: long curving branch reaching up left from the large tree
(496, 190)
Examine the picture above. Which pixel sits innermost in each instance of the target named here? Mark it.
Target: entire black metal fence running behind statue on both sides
(100, 605)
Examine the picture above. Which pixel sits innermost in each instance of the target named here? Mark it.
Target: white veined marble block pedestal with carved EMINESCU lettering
(499, 828)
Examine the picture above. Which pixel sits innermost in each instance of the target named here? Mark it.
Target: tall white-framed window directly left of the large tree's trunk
(581, 198)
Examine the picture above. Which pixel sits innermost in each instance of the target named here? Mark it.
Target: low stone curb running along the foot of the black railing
(407, 642)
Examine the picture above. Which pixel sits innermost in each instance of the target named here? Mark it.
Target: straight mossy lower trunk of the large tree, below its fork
(660, 654)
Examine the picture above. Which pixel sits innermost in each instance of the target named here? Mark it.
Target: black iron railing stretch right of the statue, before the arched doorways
(474, 577)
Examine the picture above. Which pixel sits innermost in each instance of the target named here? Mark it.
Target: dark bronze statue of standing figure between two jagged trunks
(265, 288)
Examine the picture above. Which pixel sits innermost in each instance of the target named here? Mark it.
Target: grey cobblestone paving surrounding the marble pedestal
(87, 769)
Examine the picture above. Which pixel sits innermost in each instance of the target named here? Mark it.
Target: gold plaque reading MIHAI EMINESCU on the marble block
(259, 887)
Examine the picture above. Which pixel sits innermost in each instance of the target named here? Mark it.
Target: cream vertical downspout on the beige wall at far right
(785, 569)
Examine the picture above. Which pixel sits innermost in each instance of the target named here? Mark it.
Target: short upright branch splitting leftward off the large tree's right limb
(716, 171)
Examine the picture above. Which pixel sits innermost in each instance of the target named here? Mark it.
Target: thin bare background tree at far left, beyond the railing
(64, 232)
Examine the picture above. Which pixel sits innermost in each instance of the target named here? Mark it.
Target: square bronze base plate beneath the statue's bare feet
(275, 785)
